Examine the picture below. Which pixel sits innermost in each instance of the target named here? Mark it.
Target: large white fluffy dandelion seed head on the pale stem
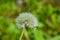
(26, 19)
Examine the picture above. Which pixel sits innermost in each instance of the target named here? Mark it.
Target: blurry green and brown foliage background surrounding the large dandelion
(47, 13)
